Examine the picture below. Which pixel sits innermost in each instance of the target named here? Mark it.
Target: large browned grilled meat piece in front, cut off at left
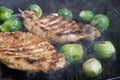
(25, 51)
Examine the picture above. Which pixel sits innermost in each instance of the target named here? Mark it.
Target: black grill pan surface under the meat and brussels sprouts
(111, 66)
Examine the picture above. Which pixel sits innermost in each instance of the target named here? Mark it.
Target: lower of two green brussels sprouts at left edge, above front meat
(12, 24)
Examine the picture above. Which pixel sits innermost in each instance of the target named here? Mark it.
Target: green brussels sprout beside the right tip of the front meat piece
(74, 52)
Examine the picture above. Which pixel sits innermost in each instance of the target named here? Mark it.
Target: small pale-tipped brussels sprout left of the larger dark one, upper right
(86, 15)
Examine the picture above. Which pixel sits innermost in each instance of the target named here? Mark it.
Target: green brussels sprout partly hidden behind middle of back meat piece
(65, 13)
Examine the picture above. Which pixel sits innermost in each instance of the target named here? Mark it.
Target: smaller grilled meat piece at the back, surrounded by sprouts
(56, 29)
